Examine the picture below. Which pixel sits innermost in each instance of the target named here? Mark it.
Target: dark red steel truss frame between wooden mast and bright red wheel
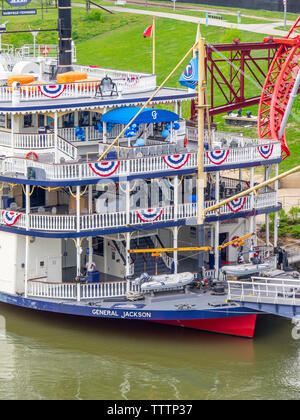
(228, 68)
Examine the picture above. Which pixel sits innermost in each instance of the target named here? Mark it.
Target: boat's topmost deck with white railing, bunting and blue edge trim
(42, 95)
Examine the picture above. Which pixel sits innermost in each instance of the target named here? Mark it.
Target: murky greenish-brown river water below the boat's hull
(50, 357)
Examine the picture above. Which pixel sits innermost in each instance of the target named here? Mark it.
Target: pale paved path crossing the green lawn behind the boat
(262, 28)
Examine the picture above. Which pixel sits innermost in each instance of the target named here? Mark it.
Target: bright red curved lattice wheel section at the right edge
(278, 87)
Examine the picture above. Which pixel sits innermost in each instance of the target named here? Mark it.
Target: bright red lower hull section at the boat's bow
(242, 326)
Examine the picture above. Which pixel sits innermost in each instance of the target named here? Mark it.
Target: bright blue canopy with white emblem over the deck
(147, 116)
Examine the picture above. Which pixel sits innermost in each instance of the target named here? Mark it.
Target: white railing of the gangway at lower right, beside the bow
(266, 290)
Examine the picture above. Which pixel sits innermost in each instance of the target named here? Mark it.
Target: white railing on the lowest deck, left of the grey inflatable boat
(79, 291)
